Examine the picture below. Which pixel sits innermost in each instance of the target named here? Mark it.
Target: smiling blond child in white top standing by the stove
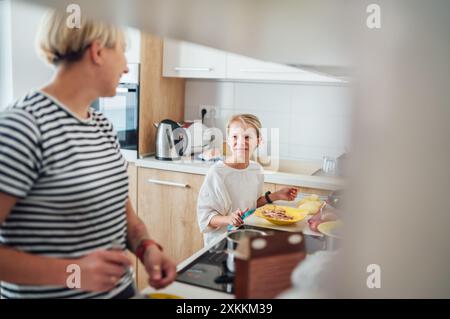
(235, 185)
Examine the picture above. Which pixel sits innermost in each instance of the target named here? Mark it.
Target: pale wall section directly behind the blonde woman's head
(29, 71)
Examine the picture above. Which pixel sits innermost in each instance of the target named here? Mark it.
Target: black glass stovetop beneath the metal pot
(210, 269)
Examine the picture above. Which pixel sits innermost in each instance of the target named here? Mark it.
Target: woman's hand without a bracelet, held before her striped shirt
(101, 270)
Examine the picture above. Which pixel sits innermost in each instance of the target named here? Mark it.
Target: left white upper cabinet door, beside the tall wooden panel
(188, 60)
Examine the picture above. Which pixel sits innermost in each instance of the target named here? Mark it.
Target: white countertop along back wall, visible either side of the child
(276, 177)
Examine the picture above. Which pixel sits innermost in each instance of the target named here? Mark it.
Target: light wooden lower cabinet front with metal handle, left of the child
(167, 205)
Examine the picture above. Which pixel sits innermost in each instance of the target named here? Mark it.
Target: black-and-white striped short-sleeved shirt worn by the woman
(71, 183)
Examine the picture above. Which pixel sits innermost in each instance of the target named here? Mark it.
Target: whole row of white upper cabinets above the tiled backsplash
(187, 60)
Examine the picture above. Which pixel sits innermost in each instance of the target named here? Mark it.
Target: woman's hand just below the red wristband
(160, 269)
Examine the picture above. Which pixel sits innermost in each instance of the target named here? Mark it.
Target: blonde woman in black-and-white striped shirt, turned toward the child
(63, 182)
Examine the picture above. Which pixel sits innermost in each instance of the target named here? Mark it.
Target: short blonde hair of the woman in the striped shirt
(59, 43)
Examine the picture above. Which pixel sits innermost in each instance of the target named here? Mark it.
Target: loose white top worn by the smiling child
(225, 190)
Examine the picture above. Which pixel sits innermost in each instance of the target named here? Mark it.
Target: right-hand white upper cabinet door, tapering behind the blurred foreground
(244, 68)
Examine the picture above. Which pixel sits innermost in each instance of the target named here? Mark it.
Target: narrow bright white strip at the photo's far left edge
(6, 88)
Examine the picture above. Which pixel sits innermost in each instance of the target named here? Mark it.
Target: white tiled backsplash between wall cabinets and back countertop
(313, 120)
